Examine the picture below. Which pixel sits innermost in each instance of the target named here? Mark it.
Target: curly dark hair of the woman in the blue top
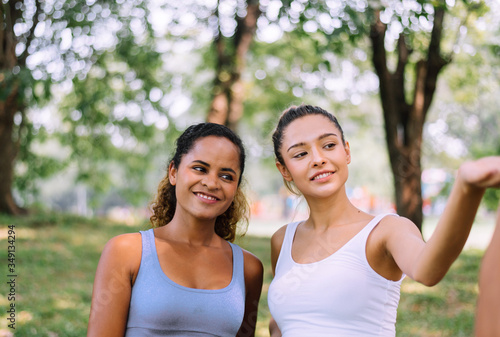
(164, 204)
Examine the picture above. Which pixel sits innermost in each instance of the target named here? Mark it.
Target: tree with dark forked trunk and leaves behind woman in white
(407, 62)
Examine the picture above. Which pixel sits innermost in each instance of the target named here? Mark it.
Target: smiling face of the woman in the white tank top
(314, 157)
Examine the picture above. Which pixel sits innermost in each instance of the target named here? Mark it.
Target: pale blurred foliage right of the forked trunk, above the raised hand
(463, 123)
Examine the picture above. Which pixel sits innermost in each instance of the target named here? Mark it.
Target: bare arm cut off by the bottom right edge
(488, 306)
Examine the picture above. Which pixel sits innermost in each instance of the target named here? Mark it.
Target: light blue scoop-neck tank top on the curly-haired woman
(161, 307)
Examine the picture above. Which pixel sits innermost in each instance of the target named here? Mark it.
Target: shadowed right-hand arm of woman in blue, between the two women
(254, 271)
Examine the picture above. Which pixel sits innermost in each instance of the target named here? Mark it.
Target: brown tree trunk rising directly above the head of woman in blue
(228, 97)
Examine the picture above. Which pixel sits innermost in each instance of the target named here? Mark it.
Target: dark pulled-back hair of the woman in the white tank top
(287, 117)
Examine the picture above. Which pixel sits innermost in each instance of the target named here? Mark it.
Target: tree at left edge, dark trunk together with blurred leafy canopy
(99, 62)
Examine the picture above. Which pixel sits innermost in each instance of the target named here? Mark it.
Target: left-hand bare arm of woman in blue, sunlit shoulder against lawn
(116, 270)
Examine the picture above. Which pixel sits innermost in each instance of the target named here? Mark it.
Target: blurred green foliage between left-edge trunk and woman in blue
(92, 87)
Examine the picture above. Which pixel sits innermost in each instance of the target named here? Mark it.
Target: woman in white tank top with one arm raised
(339, 272)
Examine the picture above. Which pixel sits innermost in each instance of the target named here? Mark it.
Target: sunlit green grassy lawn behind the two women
(56, 257)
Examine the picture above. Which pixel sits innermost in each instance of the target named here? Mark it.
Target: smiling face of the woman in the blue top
(207, 178)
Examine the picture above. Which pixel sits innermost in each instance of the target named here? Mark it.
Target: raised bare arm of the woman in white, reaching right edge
(428, 262)
